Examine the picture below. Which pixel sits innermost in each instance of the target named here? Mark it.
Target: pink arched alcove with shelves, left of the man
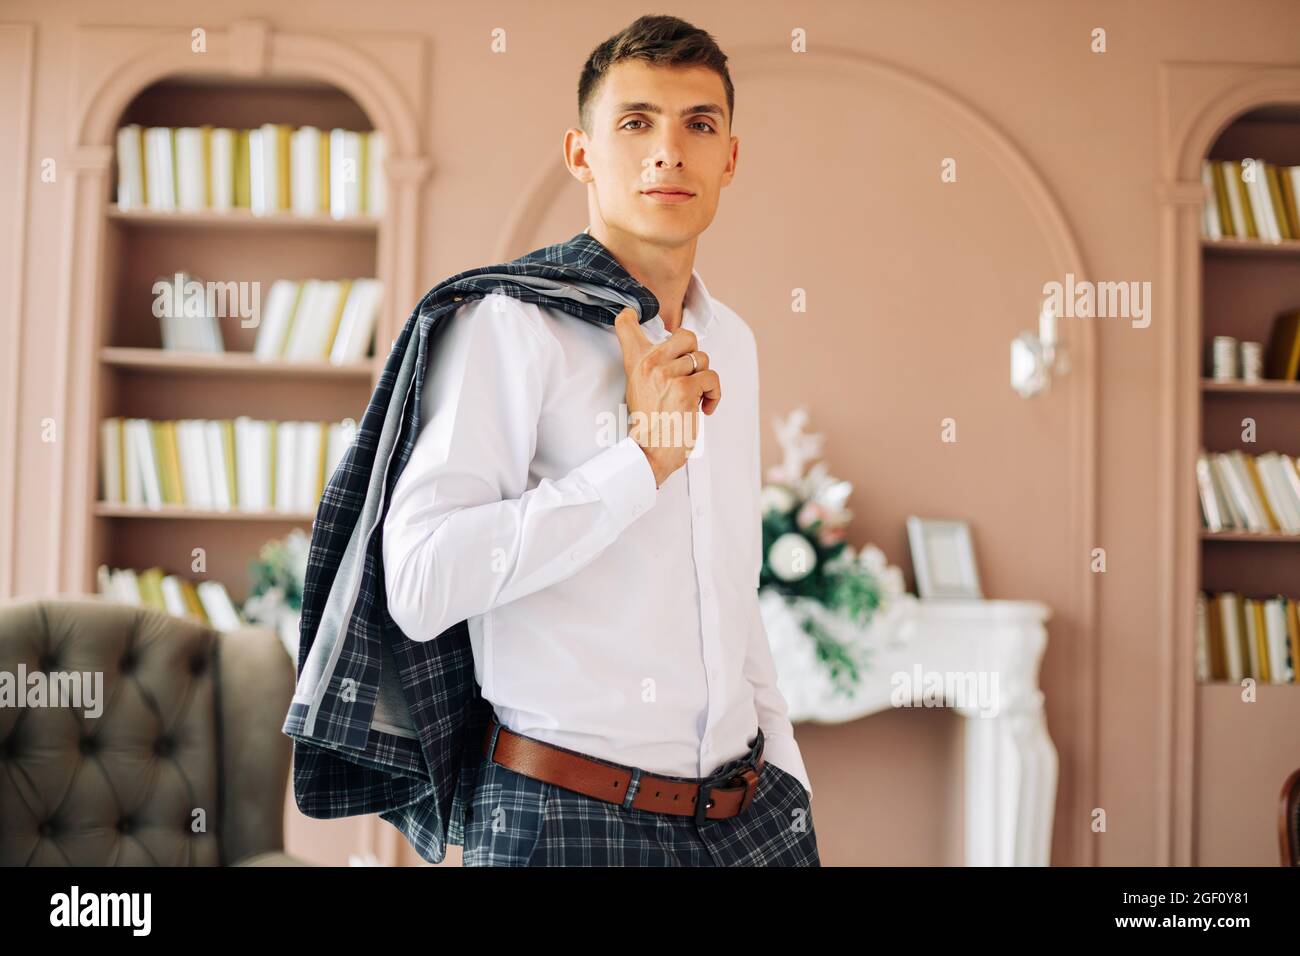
(246, 73)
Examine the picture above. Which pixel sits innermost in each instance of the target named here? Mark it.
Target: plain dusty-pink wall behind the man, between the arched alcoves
(915, 291)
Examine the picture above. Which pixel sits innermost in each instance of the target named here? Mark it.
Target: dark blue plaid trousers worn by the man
(515, 820)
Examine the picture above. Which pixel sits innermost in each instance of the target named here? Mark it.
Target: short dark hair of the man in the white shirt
(658, 40)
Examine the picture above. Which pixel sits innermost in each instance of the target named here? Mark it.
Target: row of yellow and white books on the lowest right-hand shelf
(1240, 637)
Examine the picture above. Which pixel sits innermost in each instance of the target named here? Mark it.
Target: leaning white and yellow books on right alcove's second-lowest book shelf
(1241, 492)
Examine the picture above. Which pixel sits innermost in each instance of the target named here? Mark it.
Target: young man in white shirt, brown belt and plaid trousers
(610, 582)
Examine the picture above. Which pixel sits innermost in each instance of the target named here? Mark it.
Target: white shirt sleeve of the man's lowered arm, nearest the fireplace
(779, 745)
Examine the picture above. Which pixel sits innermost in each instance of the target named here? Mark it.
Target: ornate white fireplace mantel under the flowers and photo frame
(947, 650)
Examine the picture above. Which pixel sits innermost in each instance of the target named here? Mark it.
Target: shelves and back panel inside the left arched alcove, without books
(135, 378)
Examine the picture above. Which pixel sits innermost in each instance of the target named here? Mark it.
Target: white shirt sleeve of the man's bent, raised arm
(462, 535)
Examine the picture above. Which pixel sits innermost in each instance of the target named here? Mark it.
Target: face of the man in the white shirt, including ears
(657, 129)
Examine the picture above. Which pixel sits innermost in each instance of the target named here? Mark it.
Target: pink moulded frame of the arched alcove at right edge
(1204, 111)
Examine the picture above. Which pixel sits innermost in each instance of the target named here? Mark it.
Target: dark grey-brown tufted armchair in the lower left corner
(175, 760)
